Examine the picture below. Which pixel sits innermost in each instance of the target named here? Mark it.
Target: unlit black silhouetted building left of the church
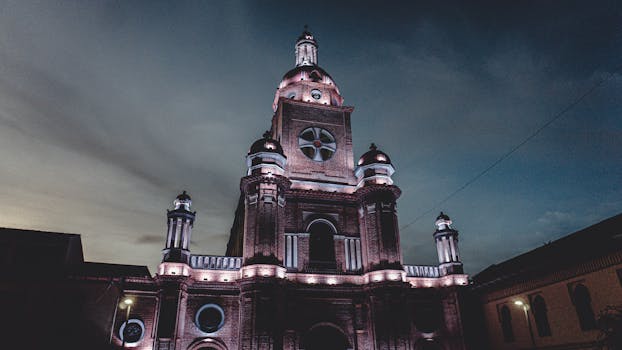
(51, 298)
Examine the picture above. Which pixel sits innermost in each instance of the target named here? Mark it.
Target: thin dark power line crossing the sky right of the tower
(574, 103)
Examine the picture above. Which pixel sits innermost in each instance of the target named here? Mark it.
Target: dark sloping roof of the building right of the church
(587, 244)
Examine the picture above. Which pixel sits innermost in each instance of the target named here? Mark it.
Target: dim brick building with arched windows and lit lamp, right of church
(551, 297)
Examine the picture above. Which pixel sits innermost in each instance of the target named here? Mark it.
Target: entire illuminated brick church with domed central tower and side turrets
(314, 258)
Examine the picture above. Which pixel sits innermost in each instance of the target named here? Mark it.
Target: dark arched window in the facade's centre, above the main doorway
(321, 245)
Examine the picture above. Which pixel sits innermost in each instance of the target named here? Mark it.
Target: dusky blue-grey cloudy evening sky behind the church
(108, 109)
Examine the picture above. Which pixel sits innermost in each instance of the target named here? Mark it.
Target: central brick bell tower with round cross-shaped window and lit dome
(312, 124)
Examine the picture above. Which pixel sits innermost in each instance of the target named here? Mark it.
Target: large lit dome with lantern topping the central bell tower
(308, 82)
